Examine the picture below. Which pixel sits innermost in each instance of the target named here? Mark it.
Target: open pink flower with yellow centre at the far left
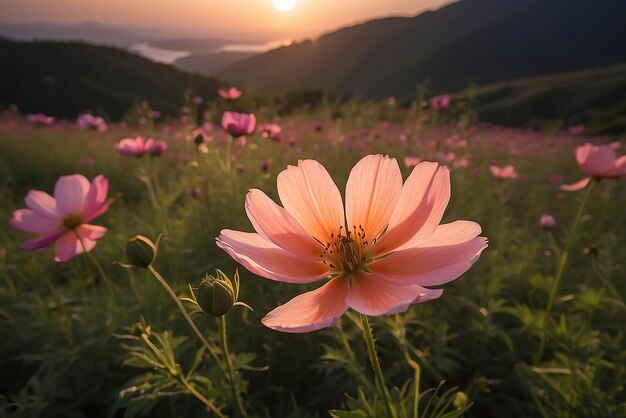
(64, 218)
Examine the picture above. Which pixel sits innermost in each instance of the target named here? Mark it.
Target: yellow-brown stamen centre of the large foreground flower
(348, 251)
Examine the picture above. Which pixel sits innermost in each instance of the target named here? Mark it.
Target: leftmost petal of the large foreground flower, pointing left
(267, 260)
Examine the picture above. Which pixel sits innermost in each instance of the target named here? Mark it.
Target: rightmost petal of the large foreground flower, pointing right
(449, 252)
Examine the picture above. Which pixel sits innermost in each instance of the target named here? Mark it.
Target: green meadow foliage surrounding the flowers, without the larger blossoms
(534, 328)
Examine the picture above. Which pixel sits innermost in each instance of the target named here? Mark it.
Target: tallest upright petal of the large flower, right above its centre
(372, 192)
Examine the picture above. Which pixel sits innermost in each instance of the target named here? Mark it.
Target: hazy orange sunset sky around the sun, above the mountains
(308, 18)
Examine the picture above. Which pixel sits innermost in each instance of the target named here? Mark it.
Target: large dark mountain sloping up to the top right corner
(479, 41)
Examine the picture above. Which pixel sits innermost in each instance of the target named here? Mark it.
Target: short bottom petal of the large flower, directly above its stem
(373, 296)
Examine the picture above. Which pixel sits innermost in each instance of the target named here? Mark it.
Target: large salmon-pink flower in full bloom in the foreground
(376, 257)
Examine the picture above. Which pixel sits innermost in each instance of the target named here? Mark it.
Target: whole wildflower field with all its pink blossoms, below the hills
(506, 300)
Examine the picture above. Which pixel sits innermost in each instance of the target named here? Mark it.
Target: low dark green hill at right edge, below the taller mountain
(595, 98)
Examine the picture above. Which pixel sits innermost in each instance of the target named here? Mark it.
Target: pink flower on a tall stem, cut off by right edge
(597, 162)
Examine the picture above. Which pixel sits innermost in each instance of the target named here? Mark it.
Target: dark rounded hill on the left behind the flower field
(64, 79)
